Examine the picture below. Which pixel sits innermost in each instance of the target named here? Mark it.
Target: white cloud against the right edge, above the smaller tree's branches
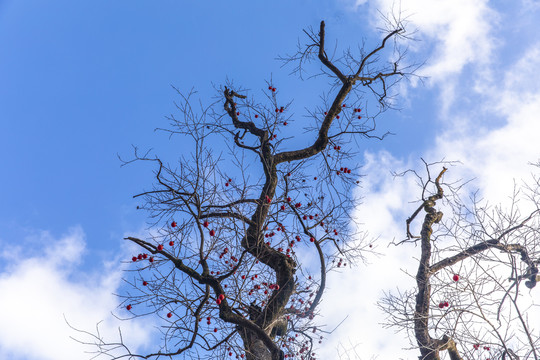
(497, 154)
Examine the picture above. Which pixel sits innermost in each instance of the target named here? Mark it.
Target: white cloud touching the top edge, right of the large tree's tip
(453, 34)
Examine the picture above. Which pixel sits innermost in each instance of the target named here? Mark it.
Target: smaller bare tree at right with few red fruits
(469, 297)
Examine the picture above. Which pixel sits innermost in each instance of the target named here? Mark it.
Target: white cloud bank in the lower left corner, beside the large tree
(38, 290)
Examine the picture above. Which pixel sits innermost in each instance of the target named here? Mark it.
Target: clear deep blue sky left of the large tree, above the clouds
(82, 81)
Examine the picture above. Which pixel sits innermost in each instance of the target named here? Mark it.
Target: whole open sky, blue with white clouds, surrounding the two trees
(81, 81)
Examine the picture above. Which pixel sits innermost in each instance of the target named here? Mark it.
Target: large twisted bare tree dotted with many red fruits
(242, 241)
